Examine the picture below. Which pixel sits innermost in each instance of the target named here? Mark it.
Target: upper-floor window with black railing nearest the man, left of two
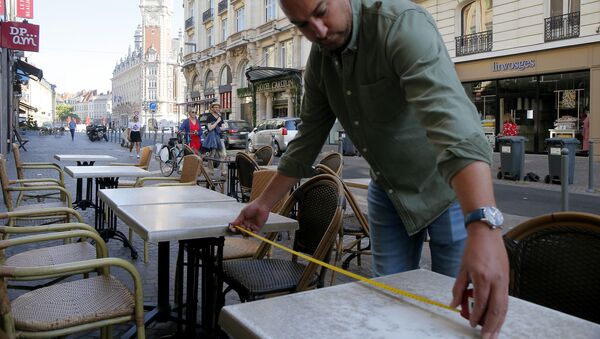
(476, 28)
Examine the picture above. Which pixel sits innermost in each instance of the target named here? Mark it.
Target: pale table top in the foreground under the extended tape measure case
(358, 310)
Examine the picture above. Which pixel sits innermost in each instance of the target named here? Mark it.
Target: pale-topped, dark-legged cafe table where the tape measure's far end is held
(205, 224)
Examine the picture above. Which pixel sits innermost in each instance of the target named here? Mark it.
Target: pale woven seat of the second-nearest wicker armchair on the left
(53, 255)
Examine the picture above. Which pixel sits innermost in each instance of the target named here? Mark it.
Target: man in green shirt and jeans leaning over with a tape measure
(382, 69)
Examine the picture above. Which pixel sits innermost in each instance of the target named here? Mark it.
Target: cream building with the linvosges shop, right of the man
(536, 60)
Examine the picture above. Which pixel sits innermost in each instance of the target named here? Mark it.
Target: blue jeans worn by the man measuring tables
(395, 251)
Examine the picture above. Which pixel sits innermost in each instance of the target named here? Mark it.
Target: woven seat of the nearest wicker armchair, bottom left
(72, 303)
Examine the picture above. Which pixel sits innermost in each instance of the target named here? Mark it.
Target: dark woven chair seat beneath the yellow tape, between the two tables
(264, 276)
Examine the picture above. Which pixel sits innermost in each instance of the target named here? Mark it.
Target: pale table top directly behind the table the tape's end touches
(159, 195)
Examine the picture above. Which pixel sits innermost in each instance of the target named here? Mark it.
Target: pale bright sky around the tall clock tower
(81, 41)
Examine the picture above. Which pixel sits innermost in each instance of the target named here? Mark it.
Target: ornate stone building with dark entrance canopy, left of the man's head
(223, 39)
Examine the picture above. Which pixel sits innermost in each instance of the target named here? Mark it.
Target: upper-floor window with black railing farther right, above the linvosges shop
(563, 22)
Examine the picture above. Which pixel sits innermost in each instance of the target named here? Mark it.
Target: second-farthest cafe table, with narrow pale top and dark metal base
(106, 177)
